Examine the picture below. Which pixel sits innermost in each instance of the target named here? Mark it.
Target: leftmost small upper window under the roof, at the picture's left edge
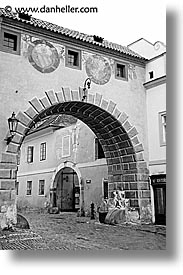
(10, 41)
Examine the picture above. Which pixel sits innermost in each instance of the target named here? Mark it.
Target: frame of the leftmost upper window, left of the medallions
(17, 42)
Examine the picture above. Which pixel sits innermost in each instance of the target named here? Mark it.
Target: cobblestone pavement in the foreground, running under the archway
(66, 231)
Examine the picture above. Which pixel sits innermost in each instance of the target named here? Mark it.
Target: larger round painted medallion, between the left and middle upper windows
(43, 56)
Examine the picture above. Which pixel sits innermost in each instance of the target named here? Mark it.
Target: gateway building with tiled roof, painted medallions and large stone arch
(44, 68)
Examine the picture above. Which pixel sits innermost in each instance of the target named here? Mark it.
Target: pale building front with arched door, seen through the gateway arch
(56, 159)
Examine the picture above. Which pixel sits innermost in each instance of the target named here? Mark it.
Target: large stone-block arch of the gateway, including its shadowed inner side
(123, 151)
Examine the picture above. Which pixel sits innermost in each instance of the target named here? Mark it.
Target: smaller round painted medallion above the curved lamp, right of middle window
(98, 69)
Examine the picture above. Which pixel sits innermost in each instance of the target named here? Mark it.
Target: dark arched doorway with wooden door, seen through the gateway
(67, 190)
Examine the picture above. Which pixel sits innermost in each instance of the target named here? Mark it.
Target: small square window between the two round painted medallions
(73, 58)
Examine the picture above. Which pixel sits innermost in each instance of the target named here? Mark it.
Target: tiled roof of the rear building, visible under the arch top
(55, 121)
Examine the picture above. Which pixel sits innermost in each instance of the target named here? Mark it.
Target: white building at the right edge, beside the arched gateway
(155, 85)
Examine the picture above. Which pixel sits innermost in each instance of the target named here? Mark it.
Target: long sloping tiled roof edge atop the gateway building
(71, 33)
